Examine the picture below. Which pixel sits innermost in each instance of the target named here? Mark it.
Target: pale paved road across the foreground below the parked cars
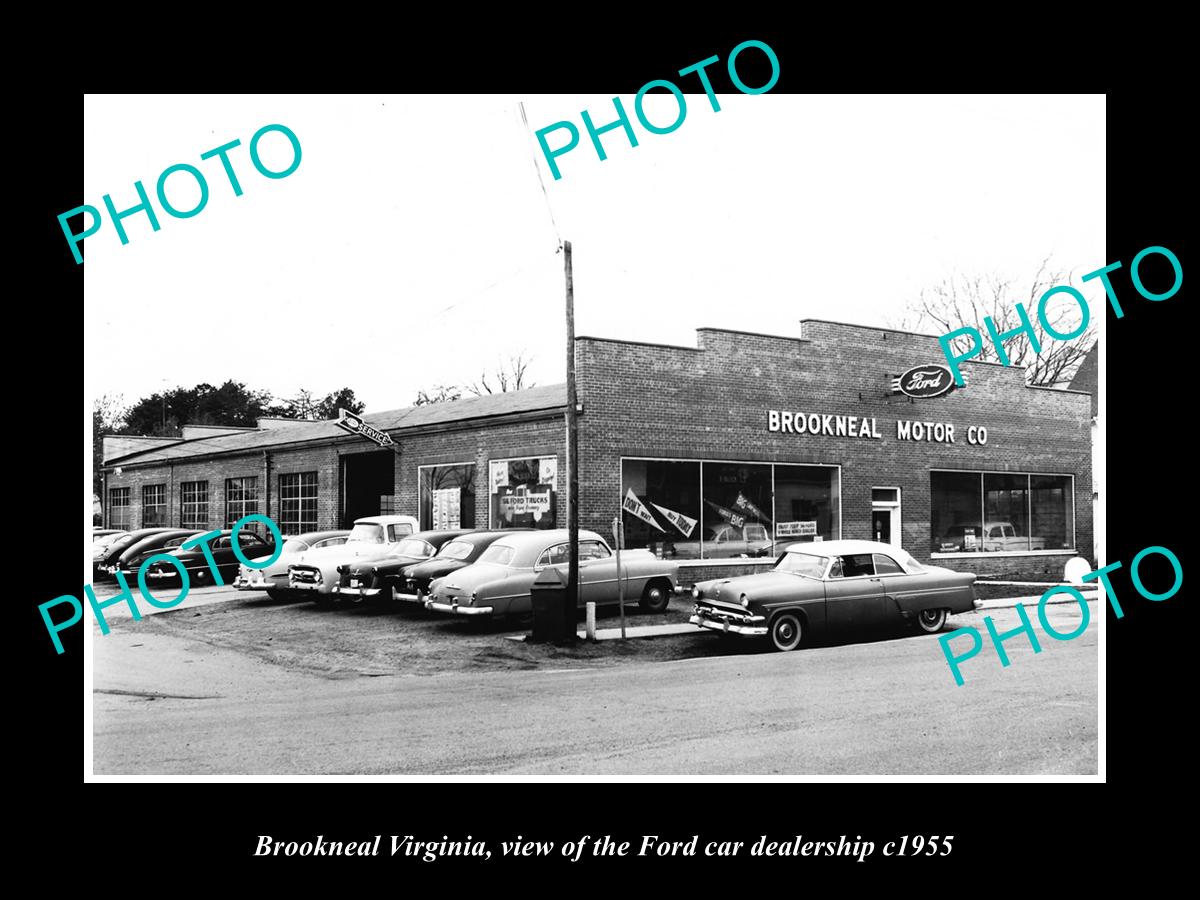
(173, 706)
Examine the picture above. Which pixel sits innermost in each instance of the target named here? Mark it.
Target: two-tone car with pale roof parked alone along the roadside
(833, 586)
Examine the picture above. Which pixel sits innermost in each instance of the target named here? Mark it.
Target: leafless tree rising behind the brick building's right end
(967, 301)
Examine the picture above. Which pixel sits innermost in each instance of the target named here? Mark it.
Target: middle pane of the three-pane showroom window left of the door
(737, 512)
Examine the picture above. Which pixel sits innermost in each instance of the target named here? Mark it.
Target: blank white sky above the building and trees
(413, 245)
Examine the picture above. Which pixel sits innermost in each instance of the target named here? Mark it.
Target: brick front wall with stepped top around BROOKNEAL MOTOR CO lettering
(712, 404)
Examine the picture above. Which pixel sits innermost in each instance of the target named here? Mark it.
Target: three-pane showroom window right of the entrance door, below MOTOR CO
(1001, 513)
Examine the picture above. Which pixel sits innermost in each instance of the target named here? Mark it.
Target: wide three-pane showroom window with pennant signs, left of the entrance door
(724, 511)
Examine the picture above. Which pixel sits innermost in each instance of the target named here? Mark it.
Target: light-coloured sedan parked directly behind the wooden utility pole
(499, 584)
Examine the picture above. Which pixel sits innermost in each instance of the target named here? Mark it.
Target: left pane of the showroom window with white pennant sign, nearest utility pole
(663, 514)
